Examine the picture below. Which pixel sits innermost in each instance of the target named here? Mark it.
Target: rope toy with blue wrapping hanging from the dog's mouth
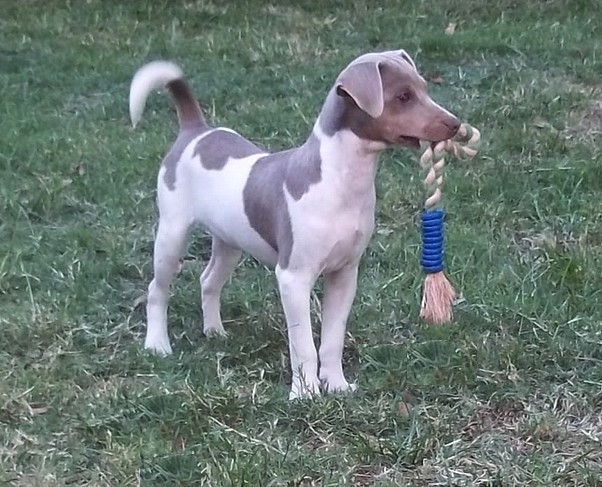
(438, 293)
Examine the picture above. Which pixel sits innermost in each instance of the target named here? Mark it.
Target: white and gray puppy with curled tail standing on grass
(307, 211)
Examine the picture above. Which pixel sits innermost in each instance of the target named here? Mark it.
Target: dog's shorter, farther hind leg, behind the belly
(221, 265)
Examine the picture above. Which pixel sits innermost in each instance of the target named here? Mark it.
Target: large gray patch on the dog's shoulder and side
(263, 195)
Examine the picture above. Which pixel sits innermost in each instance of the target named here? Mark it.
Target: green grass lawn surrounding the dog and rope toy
(508, 394)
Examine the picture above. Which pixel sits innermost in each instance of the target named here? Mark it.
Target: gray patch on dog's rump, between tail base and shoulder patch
(217, 147)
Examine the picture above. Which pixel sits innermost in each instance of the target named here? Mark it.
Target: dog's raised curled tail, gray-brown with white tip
(159, 74)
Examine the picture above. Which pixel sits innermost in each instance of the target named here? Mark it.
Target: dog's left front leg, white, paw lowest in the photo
(295, 288)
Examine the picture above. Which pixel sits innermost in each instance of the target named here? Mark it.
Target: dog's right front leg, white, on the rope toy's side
(339, 291)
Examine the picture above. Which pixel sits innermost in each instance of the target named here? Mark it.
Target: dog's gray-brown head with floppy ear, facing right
(386, 100)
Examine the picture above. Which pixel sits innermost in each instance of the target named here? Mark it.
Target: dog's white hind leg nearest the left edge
(169, 243)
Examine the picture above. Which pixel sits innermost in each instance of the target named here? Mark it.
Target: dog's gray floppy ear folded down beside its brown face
(363, 83)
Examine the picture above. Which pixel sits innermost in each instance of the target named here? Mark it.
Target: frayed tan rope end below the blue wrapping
(437, 299)
